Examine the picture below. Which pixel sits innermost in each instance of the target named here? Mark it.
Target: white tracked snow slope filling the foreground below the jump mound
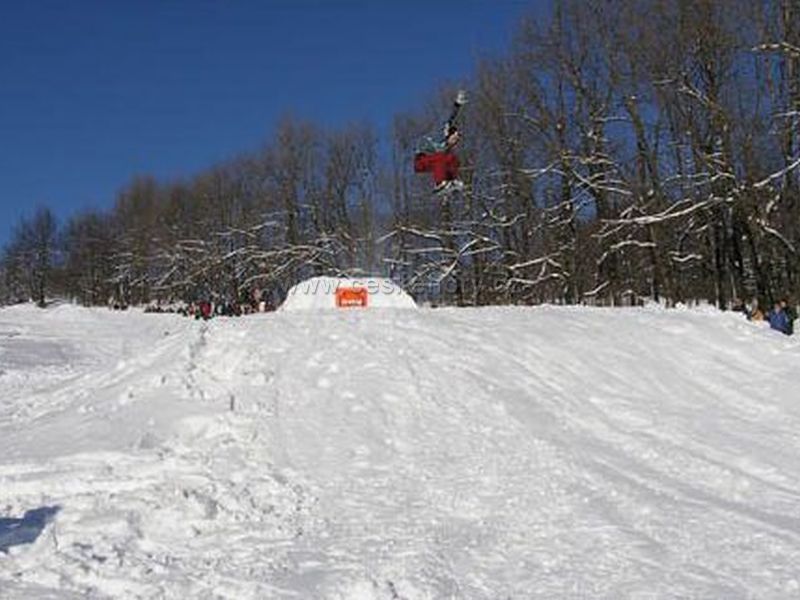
(475, 453)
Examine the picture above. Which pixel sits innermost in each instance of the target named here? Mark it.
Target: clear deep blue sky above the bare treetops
(95, 92)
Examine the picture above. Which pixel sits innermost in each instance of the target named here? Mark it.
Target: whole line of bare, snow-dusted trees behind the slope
(621, 150)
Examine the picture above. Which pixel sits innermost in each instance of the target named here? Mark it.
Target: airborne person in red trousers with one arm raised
(438, 157)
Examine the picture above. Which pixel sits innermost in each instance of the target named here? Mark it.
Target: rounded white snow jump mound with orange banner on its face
(337, 293)
